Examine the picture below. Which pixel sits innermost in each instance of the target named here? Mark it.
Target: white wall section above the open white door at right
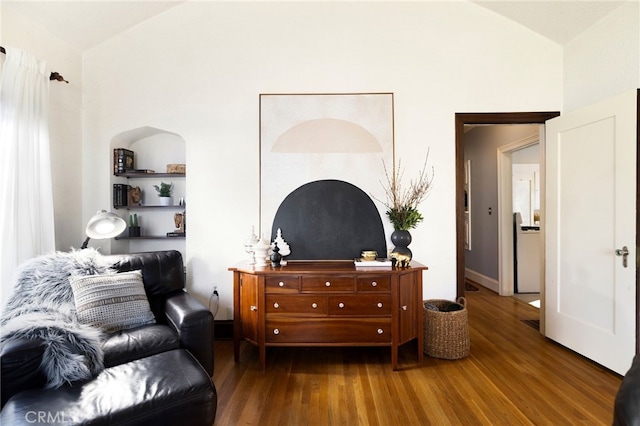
(604, 61)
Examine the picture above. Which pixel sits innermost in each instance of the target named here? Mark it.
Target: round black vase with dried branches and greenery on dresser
(402, 205)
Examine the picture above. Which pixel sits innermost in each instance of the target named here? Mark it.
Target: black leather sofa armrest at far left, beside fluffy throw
(20, 361)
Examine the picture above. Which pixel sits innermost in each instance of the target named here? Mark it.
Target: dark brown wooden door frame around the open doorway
(461, 119)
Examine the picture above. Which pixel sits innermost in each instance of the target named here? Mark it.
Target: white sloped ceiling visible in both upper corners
(84, 24)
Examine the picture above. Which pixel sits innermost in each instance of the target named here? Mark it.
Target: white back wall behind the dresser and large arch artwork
(197, 70)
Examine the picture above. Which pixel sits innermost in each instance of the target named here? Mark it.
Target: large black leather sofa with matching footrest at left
(155, 374)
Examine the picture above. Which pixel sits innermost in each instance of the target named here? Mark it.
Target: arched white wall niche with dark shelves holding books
(144, 158)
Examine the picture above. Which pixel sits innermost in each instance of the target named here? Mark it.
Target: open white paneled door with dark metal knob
(591, 213)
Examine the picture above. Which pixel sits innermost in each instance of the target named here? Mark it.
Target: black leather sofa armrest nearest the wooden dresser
(194, 324)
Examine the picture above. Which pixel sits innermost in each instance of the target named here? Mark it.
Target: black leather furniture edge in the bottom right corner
(627, 403)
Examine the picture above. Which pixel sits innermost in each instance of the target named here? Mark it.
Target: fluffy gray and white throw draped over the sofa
(42, 308)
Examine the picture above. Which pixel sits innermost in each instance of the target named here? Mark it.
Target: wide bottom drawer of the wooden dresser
(329, 331)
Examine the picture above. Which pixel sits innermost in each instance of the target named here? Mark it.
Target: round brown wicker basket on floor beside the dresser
(446, 333)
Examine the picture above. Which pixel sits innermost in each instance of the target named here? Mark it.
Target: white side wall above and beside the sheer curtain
(65, 119)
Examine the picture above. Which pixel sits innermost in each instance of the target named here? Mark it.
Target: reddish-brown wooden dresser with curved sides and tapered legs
(327, 303)
